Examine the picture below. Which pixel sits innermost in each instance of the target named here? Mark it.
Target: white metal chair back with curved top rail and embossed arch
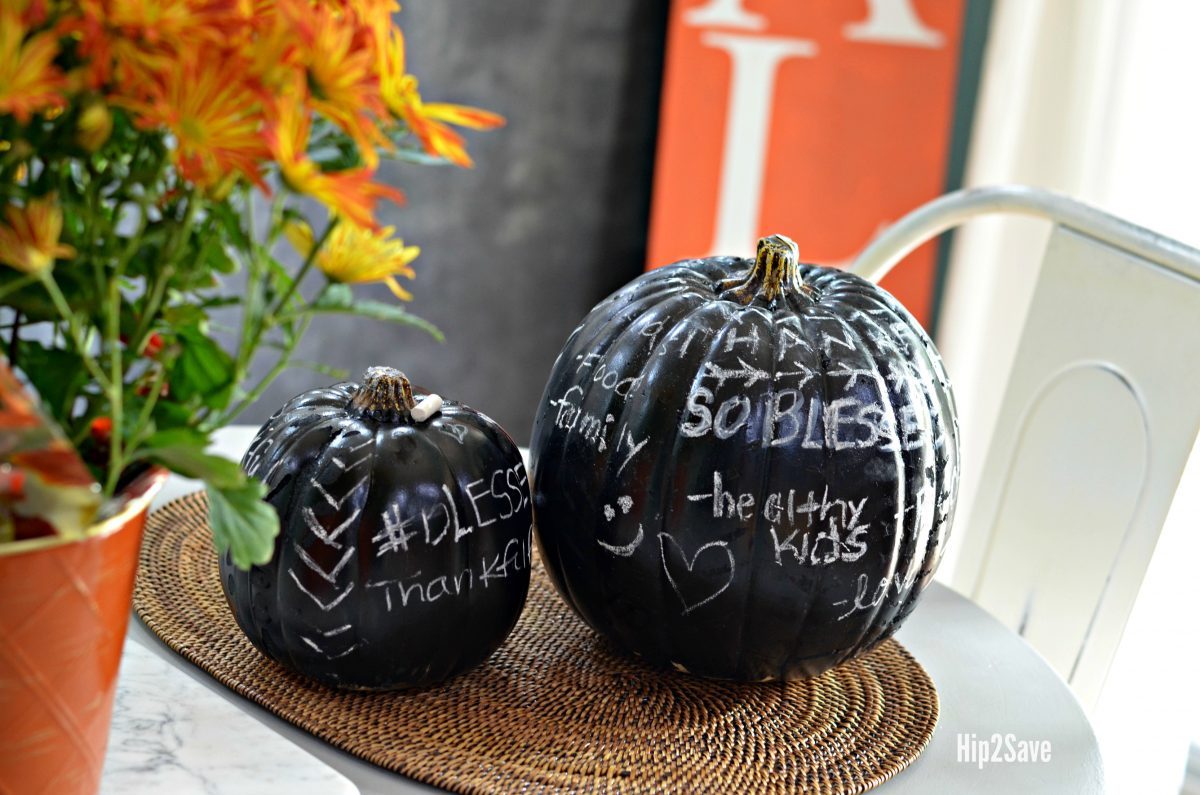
(1100, 414)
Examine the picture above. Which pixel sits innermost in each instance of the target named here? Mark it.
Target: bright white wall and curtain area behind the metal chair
(1095, 99)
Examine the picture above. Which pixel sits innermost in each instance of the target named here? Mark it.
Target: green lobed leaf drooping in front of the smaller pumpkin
(243, 524)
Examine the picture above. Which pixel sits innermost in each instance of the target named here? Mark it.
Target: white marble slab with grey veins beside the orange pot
(171, 734)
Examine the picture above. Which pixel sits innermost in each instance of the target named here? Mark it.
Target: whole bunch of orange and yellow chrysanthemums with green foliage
(137, 141)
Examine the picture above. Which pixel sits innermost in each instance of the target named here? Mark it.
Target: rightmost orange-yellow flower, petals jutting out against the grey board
(429, 122)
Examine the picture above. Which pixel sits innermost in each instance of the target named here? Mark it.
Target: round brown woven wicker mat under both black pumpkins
(557, 709)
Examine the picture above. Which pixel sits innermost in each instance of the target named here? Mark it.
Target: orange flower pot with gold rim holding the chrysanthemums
(64, 609)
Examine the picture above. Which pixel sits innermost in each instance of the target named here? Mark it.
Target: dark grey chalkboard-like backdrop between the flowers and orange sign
(551, 219)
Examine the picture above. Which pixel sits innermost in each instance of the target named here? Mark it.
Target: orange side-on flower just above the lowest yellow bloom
(350, 194)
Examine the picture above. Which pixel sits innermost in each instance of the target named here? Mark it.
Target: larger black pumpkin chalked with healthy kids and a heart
(746, 469)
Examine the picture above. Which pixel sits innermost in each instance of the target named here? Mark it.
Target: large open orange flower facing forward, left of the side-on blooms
(215, 116)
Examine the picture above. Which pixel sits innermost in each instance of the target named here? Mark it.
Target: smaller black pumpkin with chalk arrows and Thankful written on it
(404, 553)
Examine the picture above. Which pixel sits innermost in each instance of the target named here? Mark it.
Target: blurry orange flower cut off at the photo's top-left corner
(29, 80)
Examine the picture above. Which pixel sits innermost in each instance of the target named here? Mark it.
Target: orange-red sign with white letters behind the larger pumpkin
(821, 121)
